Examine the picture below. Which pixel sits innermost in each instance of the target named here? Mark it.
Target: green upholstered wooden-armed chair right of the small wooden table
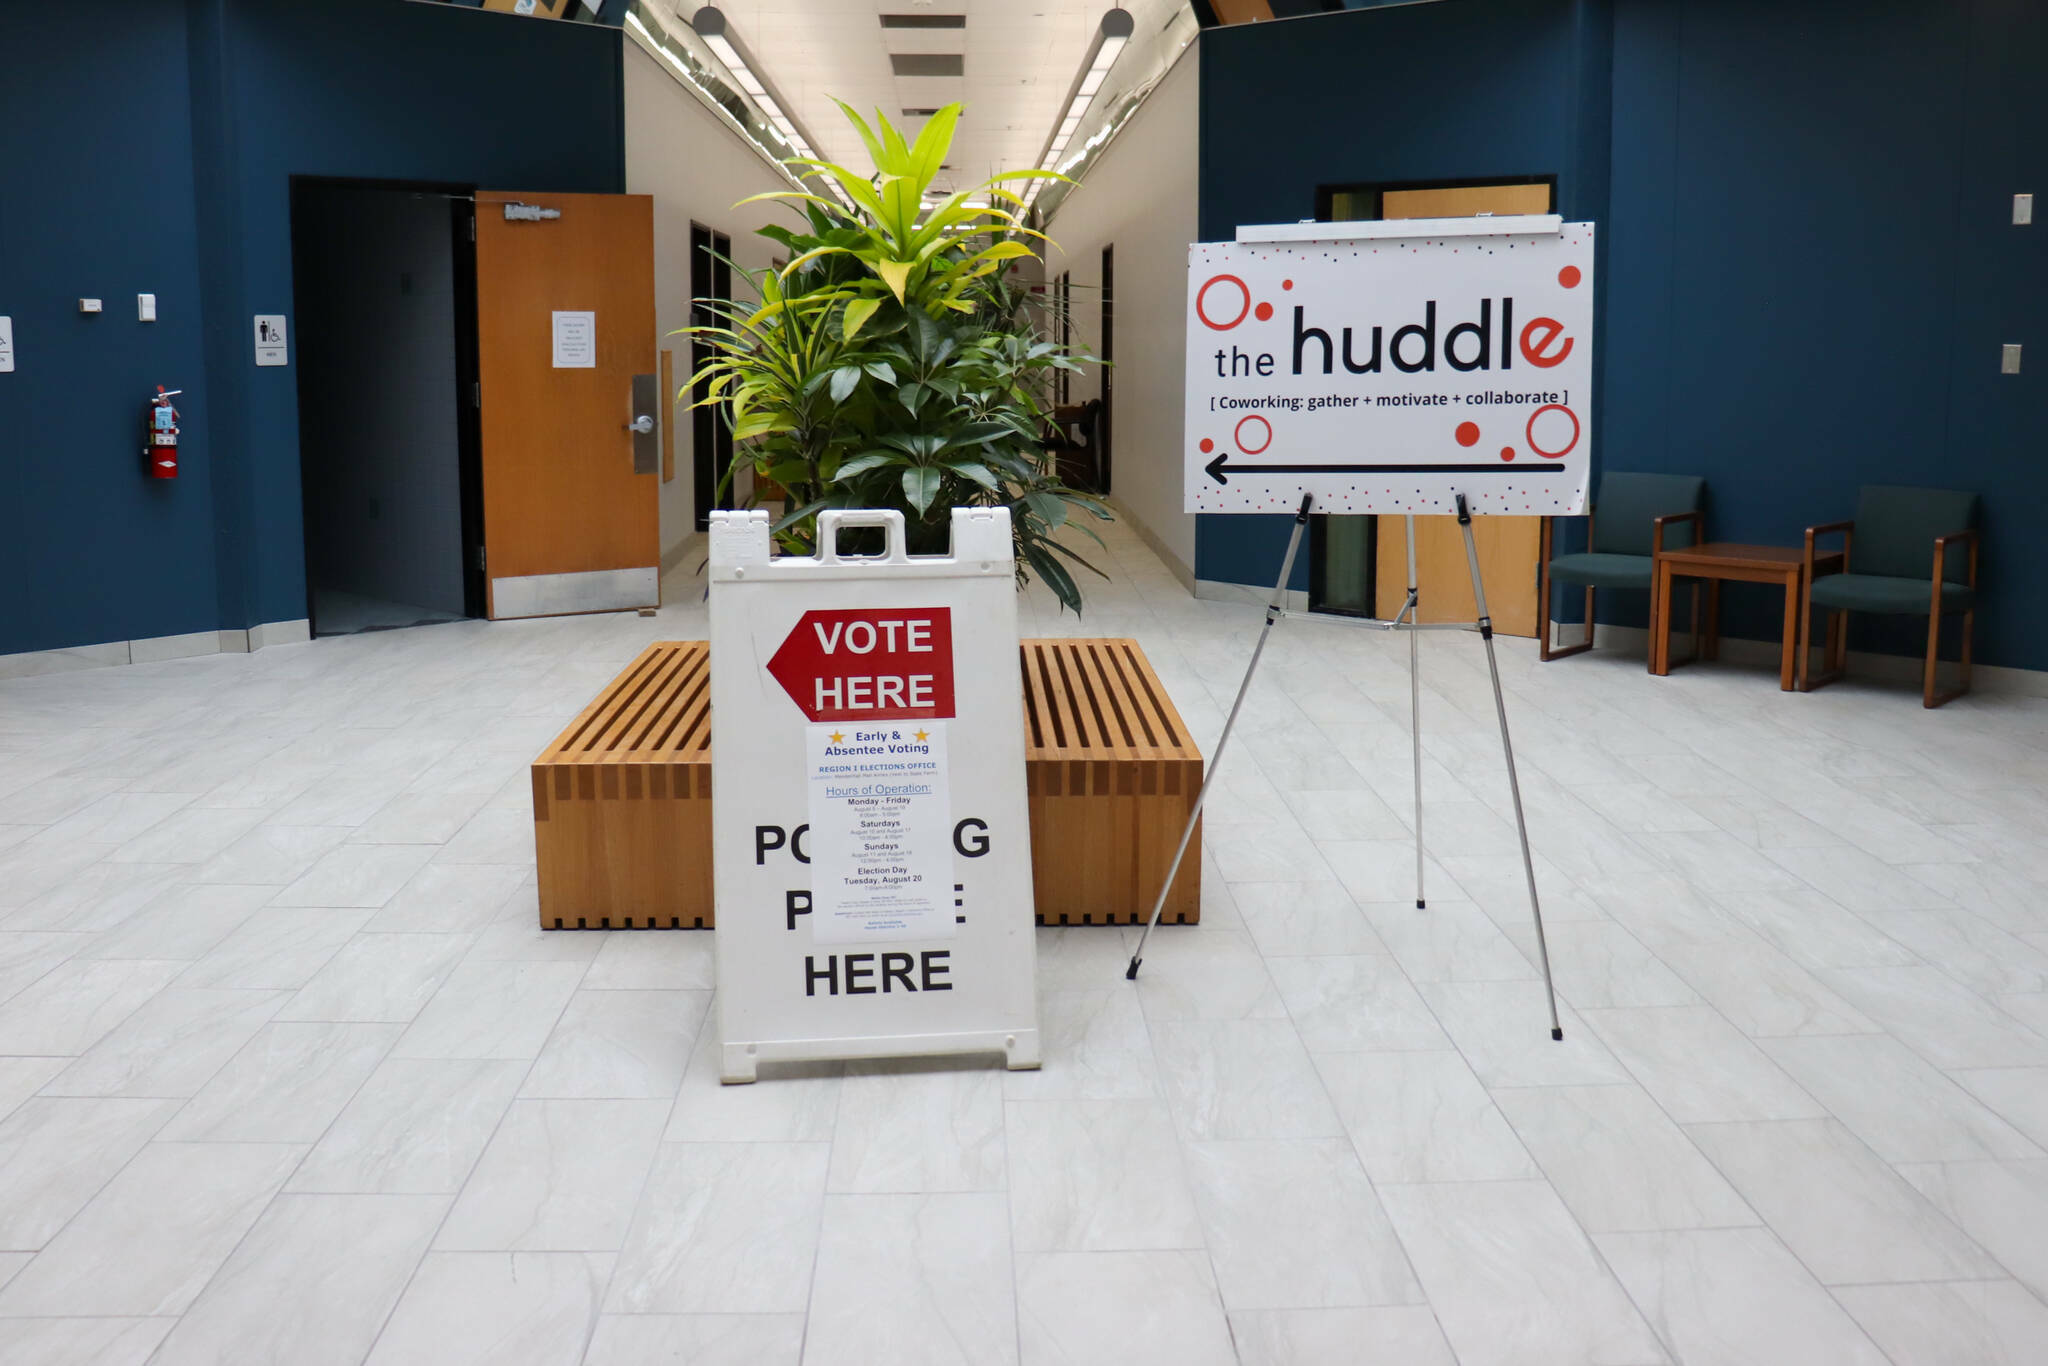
(1908, 554)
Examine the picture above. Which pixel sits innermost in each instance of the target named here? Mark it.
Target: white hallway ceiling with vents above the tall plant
(1019, 60)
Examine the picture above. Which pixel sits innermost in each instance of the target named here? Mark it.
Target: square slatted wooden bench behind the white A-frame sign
(622, 800)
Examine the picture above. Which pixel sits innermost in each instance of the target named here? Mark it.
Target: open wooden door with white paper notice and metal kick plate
(564, 327)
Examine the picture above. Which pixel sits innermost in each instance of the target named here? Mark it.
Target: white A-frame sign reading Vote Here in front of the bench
(871, 847)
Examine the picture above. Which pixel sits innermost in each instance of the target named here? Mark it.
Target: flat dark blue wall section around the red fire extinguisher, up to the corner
(97, 202)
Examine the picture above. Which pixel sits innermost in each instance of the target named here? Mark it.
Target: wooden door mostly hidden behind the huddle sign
(1506, 544)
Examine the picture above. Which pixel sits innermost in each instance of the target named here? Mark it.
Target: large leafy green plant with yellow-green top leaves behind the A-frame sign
(892, 364)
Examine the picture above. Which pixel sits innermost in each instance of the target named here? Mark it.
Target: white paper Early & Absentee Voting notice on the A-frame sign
(882, 833)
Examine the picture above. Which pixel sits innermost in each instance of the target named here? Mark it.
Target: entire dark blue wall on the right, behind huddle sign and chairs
(1807, 247)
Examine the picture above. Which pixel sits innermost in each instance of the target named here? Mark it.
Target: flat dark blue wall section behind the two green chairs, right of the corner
(1811, 267)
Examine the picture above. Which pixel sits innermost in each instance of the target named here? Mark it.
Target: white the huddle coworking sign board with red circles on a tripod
(1392, 366)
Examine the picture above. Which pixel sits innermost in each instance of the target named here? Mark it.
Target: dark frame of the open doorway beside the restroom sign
(466, 396)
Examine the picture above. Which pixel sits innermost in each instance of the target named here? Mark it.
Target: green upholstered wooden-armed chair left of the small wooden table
(1629, 525)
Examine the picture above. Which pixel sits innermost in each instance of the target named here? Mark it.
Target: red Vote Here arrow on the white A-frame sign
(865, 665)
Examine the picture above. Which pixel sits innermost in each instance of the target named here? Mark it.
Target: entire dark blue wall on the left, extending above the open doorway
(151, 146)
